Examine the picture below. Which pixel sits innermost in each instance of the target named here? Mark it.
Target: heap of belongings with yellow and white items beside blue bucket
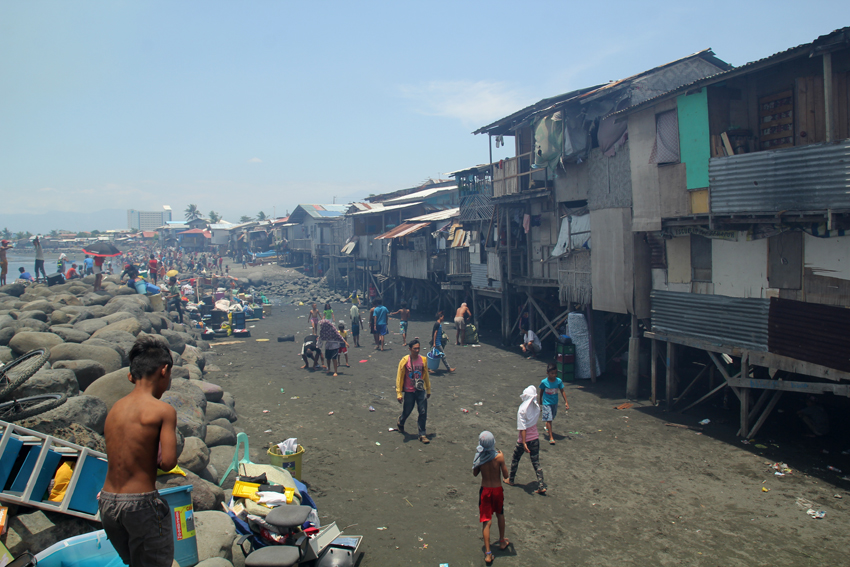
(258, 490)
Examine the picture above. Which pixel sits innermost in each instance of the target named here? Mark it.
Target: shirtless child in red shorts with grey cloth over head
(491, 464)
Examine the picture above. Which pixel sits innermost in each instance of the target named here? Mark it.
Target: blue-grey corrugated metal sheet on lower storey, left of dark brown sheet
(717, 319)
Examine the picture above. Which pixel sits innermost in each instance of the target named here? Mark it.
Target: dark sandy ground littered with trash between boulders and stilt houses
(624, 489)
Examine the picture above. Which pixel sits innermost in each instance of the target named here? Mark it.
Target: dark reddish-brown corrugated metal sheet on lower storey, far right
(811, 332)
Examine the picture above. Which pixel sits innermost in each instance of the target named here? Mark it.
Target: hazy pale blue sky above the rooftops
(239, 107)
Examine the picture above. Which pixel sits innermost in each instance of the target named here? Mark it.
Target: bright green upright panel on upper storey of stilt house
(694, 149)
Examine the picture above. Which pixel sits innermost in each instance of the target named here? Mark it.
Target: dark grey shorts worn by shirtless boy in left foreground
(139, 527)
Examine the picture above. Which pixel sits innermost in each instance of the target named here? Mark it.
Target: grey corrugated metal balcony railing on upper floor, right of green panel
(807, 178)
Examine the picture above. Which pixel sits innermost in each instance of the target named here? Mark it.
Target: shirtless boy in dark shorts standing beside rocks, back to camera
(140, 437)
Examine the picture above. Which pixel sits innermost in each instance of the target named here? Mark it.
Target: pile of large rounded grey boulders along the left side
(90, 335)
